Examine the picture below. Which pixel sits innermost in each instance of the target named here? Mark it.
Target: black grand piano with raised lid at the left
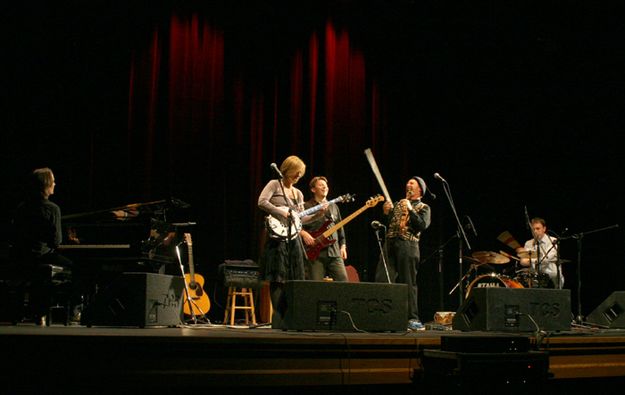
(138, 237)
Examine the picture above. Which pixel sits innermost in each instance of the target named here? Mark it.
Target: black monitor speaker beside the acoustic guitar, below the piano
(137, 299)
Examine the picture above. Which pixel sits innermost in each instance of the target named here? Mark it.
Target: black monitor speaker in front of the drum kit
(510, 309)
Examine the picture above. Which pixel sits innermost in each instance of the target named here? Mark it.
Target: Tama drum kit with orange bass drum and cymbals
(495, 269)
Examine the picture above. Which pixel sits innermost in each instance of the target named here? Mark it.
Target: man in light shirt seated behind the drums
(541, 253)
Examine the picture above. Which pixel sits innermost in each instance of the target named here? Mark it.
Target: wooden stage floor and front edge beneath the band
(258, 359)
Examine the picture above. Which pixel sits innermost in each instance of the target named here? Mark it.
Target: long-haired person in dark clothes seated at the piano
(36, 235)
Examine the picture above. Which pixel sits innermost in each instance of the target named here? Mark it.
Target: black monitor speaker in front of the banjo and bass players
(345, 307)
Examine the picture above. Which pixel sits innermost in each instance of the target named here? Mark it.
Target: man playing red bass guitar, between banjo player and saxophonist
(330, 261)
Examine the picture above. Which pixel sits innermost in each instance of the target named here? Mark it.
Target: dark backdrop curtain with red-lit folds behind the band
(515, 105)
